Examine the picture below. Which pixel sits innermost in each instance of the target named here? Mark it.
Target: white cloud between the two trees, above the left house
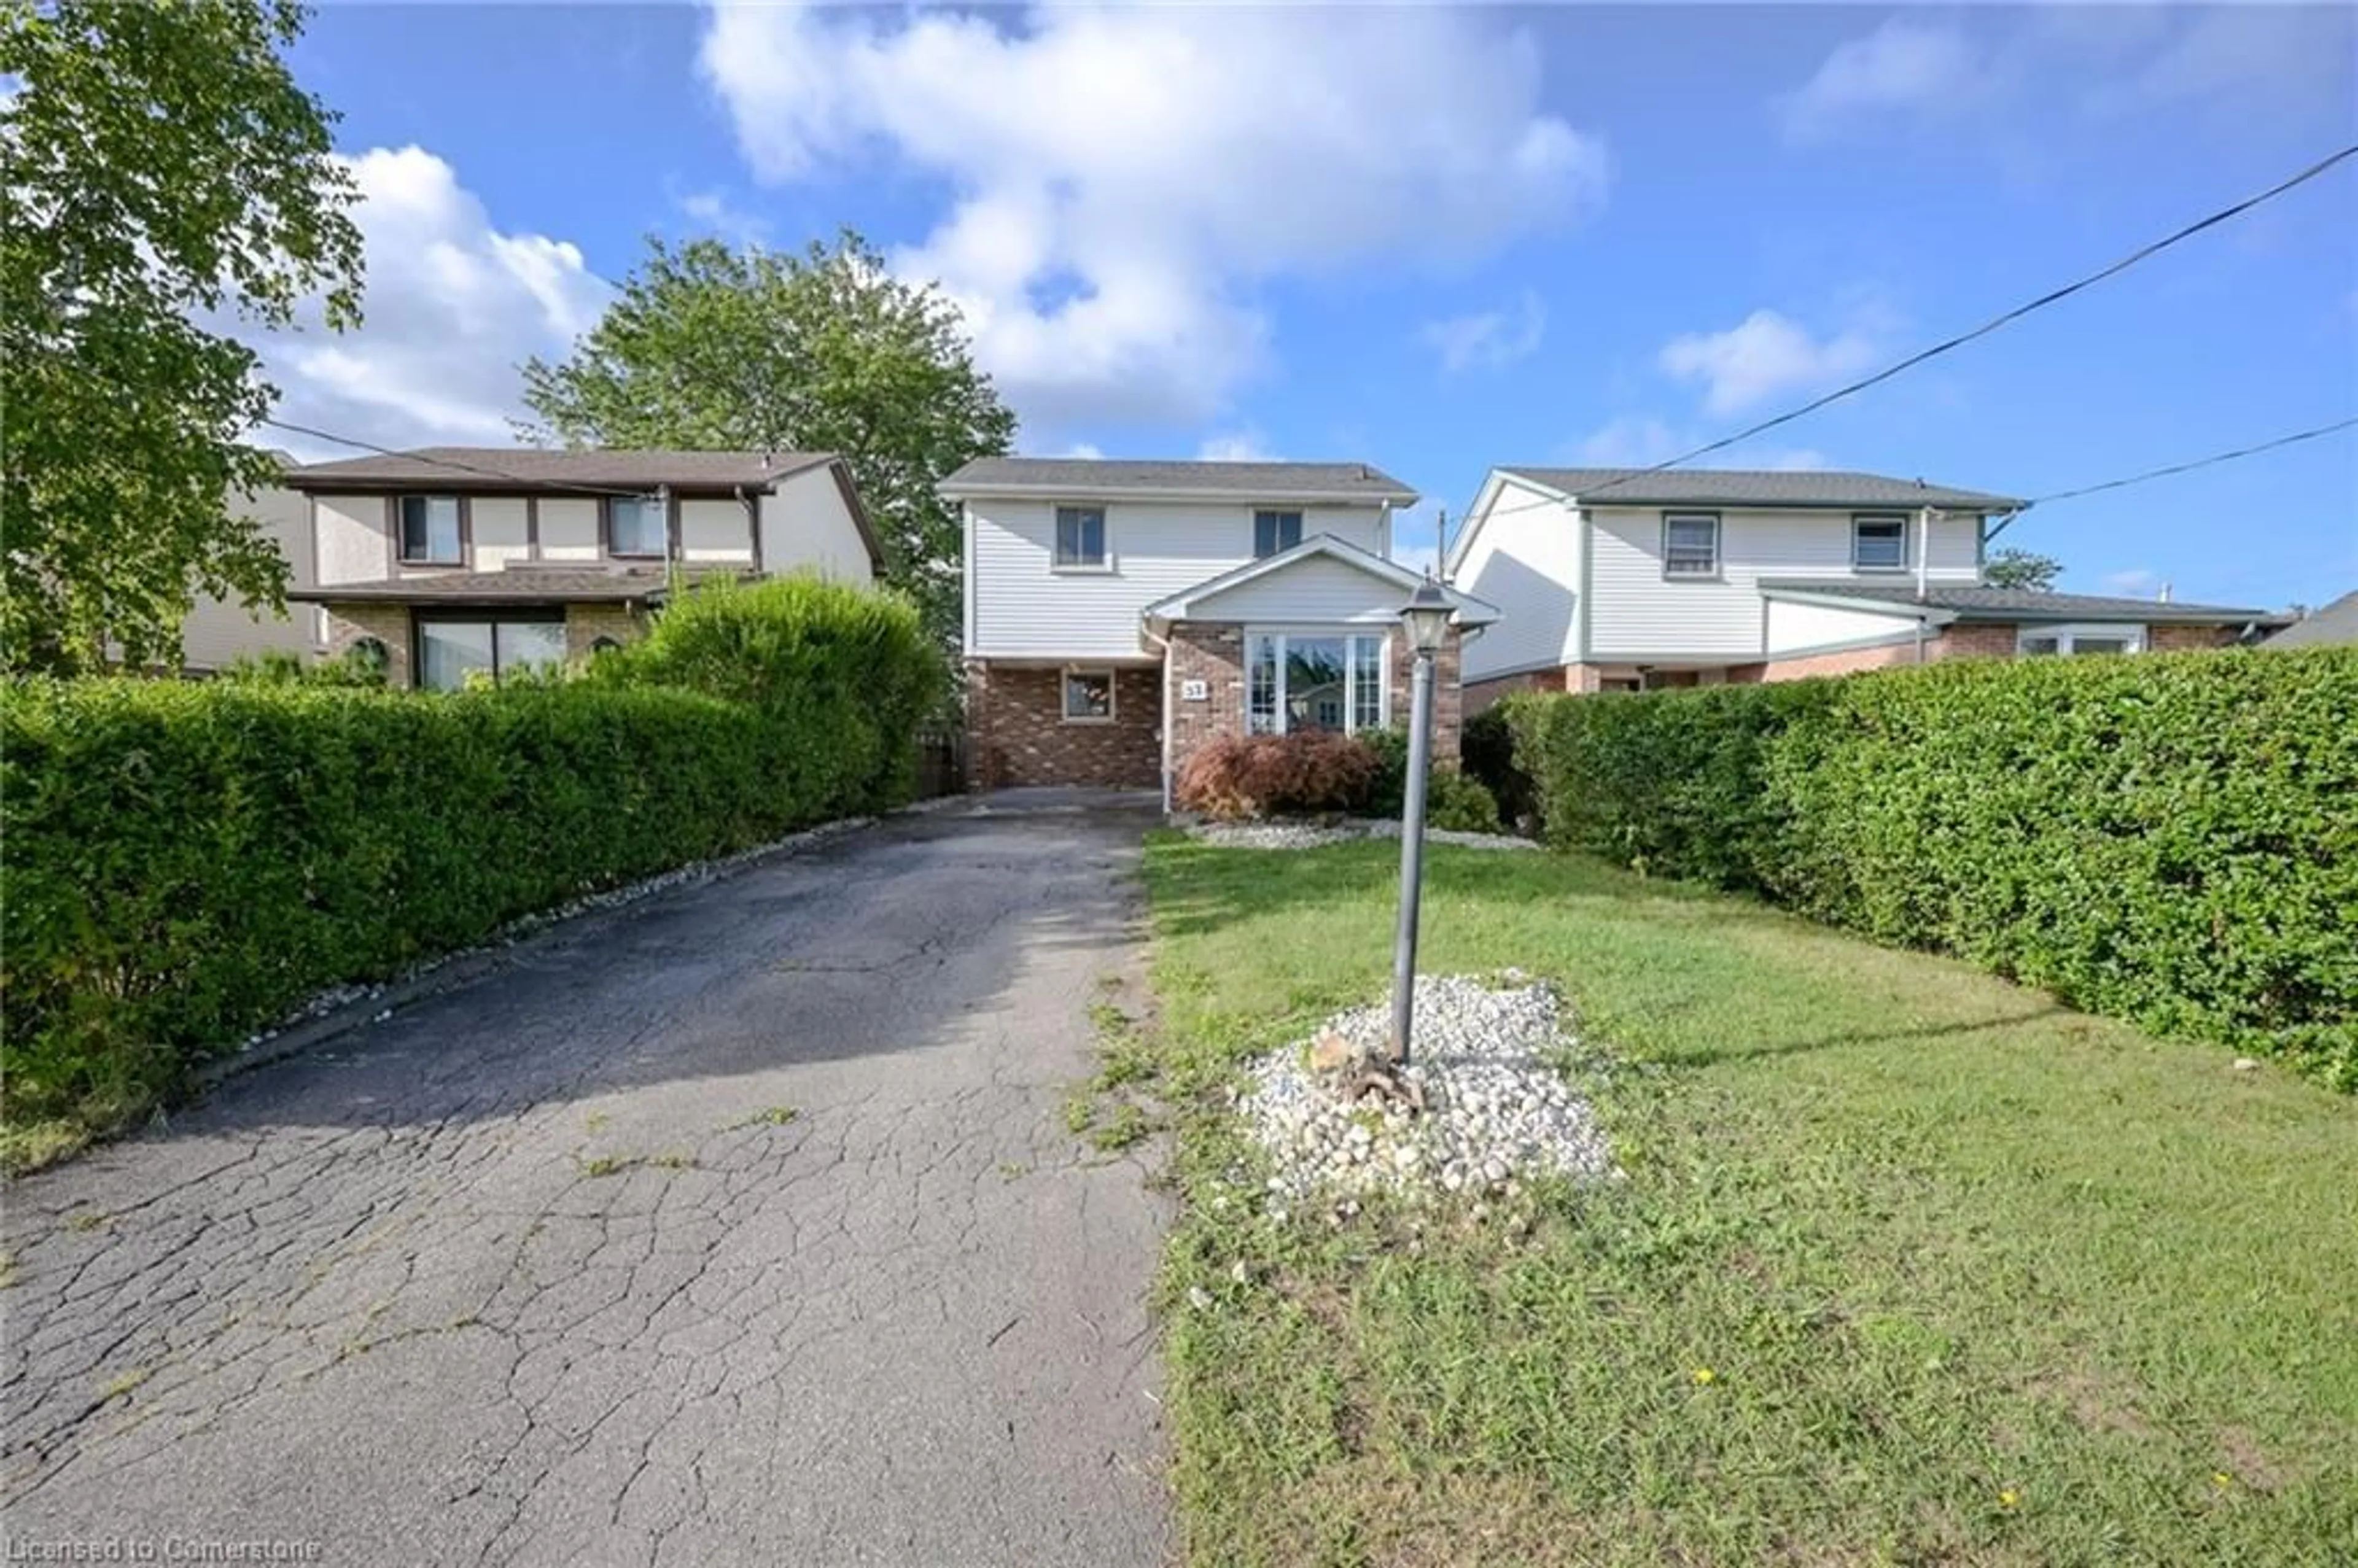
(452, 308)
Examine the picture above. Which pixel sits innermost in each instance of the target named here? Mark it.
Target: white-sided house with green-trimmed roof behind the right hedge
(1638, 579)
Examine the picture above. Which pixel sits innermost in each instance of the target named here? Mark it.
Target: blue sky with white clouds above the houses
(1440, 239)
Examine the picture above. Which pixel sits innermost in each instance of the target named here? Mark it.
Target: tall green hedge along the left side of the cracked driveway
(187, 862)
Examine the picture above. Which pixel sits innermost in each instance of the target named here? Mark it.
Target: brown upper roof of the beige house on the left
(529, 468)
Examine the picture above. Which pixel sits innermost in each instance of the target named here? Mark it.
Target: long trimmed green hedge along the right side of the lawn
(2171, 838)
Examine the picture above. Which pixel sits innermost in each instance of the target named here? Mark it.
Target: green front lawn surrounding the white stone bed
(1911, 1265)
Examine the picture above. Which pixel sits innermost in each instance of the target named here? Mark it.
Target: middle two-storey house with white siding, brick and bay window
(1121, 614)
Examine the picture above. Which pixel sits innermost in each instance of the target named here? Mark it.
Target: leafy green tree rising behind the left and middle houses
(758, 350)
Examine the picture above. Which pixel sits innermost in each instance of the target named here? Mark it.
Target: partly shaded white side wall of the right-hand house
(1524, 558)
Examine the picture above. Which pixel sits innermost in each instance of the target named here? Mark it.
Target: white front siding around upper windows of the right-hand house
(1638, 614)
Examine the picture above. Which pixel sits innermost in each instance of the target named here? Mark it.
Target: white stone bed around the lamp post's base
(1496, 1109)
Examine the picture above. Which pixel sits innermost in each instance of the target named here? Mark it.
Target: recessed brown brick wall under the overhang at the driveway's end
(1017, 732)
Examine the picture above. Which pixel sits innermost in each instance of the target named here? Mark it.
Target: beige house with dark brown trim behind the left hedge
(452, 562)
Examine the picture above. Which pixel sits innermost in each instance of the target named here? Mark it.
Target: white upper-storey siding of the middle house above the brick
(1025, 610)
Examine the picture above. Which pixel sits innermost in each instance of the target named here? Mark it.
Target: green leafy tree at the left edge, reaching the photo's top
(162, 169)
